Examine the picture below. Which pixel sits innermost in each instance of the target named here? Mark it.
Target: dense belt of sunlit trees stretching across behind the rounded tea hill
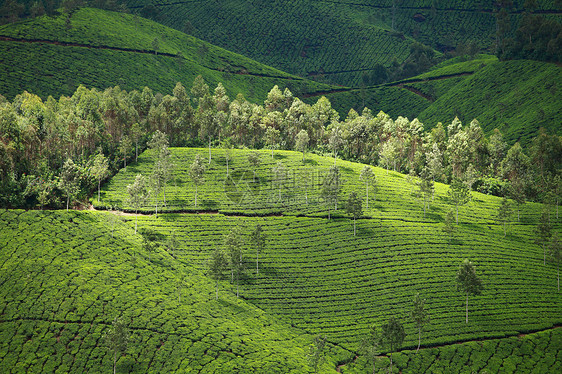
(37, 138)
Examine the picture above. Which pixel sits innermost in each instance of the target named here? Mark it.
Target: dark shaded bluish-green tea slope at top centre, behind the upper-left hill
(301, 37)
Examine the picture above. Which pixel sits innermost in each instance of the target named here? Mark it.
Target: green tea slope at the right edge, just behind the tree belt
(509, 95)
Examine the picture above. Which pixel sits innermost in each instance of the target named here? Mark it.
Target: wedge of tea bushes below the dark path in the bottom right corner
(531, 353)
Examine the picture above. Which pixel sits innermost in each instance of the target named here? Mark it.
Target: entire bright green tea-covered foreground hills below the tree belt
(61, 291)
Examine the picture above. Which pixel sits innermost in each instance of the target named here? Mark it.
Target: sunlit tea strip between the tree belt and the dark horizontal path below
(238, 193)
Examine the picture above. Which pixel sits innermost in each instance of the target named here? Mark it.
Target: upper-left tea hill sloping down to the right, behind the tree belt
(102, 49)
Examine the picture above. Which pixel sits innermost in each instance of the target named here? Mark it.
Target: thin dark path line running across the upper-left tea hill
(133, 50)
